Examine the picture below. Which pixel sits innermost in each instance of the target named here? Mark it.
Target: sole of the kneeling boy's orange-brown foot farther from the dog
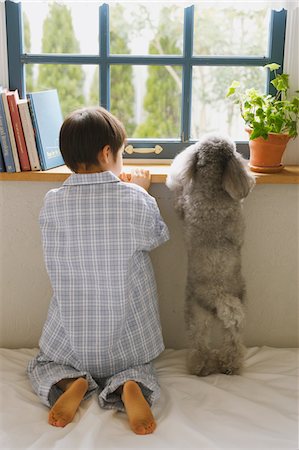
(66, 406)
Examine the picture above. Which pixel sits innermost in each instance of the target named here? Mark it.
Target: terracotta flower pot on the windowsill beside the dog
(266, 154)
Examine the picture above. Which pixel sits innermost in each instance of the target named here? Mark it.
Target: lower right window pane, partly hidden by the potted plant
(211, 110)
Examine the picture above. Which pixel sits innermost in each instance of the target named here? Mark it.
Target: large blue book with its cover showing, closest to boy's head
(47, 119)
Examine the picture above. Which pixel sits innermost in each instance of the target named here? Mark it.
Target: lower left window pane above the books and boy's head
(77, 85)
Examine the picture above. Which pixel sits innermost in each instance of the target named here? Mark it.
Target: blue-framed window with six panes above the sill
(162, 68)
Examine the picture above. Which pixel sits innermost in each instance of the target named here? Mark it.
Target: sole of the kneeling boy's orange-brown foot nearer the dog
(139, 412)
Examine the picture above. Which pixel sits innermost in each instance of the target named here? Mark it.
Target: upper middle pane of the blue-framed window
(146, 28)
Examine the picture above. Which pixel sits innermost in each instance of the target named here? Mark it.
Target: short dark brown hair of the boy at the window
(85, 132)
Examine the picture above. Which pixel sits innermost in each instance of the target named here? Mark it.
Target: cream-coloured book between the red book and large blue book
(29, 134)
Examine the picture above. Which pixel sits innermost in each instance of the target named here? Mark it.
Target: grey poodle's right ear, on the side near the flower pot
(236, 180)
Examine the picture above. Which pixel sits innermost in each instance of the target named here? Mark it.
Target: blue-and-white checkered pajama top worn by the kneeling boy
(97, 232)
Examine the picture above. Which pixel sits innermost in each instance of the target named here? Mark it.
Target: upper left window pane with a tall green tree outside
(70, 27)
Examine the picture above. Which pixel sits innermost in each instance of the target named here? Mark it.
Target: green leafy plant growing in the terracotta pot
(266, 113)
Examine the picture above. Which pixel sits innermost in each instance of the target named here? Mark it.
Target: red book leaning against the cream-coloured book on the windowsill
(13, 98)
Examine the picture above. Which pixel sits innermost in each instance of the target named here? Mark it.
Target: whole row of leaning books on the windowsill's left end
(29, 131)
